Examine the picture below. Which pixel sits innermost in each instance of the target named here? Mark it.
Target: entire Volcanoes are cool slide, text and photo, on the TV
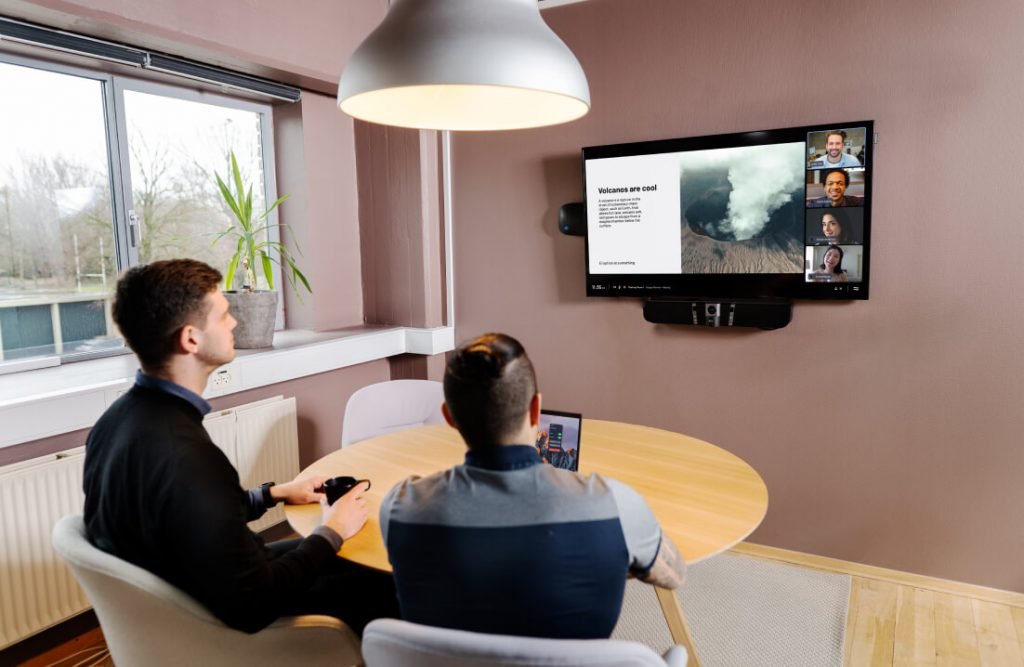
(737, 211)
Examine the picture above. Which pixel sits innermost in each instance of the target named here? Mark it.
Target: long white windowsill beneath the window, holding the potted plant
(52, 401)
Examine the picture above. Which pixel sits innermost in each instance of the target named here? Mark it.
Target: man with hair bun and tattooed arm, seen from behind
(505, 544)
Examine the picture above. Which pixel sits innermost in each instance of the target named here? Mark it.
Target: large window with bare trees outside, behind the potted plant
(100, 173)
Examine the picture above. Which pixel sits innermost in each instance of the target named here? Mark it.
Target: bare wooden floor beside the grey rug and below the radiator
(895, 618)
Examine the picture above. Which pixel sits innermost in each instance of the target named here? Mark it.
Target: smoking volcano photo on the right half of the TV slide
(743, 210)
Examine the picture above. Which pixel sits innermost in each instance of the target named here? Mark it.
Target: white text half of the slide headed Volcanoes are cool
(633, 215)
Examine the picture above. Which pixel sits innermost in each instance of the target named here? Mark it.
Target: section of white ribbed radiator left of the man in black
(37, 591)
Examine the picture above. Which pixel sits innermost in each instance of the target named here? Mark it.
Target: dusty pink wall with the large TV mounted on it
(888, 432)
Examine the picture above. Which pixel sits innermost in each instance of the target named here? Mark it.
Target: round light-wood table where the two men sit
(706, 499)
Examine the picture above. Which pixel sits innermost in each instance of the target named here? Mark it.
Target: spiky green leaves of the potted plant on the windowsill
(253, 248)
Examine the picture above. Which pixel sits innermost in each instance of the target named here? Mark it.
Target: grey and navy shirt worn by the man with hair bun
(510, 546)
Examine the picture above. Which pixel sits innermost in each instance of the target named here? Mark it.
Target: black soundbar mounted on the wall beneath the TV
(761, 314)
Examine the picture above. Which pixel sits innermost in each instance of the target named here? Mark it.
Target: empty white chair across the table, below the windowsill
(388, 407)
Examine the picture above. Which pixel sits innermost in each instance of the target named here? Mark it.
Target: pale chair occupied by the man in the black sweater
(146, 621)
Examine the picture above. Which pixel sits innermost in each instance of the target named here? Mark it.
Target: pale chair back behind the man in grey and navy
(389, 643)
